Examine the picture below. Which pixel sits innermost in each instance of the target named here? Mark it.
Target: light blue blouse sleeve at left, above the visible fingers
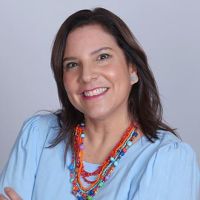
(20, 170)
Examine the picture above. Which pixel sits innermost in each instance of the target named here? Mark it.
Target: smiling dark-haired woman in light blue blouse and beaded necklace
(108, 141)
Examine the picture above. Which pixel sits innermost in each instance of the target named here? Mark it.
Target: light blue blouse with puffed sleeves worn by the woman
(164, 170)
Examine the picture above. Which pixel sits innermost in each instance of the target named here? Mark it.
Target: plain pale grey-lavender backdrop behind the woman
(168, 30)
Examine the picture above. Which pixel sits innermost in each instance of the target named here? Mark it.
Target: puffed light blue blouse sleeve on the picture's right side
(172, 173)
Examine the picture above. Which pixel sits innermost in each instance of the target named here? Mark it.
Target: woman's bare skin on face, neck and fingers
(92, 59)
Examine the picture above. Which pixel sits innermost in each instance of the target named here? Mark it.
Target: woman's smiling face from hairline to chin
(96, 74)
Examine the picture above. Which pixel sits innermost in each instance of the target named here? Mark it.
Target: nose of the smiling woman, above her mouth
(88, 73)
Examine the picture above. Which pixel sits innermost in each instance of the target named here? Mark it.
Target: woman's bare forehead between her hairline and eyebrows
(89, 38)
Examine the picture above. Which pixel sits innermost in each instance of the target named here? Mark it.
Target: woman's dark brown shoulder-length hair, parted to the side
(143, 104)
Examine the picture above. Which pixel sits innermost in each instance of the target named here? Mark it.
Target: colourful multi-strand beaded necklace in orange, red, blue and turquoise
(104, 171)
